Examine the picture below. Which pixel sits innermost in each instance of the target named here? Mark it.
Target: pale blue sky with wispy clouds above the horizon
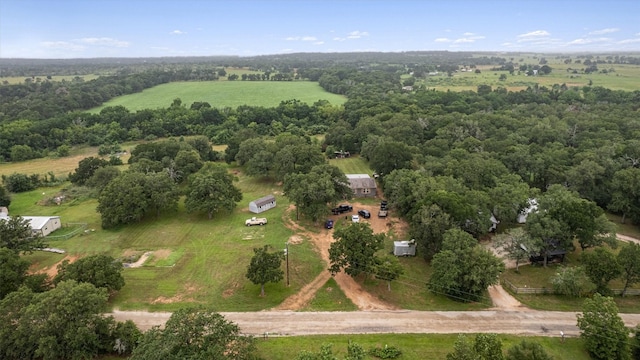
(145, 28)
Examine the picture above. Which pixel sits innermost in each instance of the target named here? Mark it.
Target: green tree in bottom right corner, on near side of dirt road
(602, 330)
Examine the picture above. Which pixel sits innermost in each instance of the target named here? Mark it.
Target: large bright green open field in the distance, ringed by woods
(222, 94)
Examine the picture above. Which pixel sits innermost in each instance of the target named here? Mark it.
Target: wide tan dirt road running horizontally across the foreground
(289, 323)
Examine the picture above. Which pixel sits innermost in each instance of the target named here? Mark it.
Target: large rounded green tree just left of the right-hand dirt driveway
(463, 270)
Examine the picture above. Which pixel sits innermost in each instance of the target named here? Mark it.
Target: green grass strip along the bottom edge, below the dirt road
(413, 346)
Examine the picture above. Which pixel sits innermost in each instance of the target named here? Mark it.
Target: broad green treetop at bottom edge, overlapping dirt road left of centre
(195, 333)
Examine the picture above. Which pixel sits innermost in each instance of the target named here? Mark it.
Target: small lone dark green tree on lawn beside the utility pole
(265, 267)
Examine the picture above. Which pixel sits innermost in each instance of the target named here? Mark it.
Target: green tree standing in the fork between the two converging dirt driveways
(354, 249)
